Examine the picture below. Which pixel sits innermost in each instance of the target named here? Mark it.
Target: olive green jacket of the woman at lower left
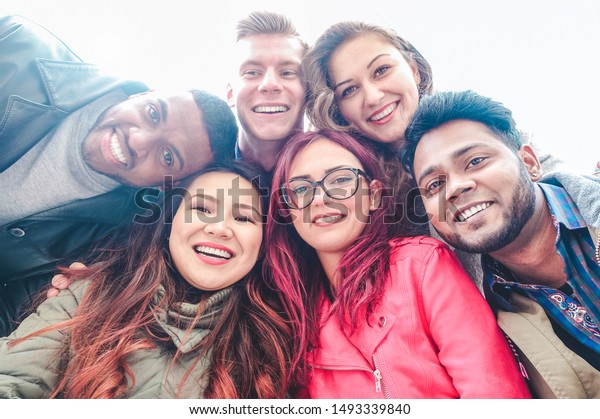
(31, 369)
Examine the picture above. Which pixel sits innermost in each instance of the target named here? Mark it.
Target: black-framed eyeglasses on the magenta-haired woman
(338, 184)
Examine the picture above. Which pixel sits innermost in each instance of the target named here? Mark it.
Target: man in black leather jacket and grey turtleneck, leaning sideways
(75, 146)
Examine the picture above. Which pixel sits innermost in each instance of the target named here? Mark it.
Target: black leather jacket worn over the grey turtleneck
(41, 82)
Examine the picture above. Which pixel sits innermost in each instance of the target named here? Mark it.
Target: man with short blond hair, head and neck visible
(269, 91)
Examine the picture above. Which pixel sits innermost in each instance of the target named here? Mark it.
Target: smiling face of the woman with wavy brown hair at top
(375, 87)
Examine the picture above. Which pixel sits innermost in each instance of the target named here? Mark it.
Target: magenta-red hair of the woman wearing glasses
(294, 267)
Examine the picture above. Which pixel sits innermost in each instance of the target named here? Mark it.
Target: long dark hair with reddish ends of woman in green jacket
(249, 345)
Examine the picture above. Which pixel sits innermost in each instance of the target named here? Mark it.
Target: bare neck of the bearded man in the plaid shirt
(532, 256)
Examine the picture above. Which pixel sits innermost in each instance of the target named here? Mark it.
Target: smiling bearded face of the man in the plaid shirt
(479, 193)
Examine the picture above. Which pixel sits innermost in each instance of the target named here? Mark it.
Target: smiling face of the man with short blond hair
(270, 92)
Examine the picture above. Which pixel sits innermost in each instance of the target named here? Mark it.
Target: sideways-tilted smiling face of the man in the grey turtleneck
(149, 136)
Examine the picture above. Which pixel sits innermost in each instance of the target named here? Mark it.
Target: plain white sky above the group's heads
(540, 58)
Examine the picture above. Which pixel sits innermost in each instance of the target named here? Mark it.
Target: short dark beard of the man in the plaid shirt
(514, 219)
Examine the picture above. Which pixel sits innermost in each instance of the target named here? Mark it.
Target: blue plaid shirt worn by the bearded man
(578, 313)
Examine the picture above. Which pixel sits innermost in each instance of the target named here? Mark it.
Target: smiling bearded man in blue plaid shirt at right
(484, 193)
